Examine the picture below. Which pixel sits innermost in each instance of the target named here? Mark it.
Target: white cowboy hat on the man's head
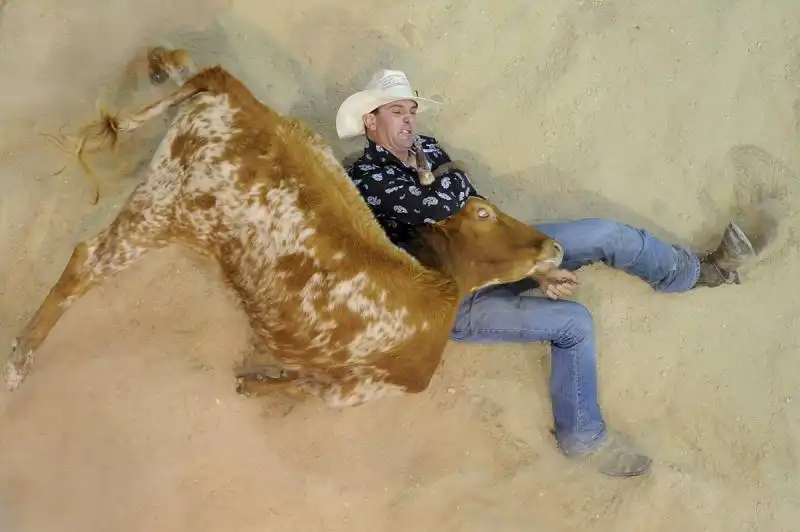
(386, 86)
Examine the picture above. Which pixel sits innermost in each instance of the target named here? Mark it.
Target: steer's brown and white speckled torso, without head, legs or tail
(320, 281)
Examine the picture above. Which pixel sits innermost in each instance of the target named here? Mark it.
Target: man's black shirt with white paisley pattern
(392, 190)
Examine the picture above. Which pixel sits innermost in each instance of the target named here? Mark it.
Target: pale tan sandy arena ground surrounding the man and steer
(673, 116)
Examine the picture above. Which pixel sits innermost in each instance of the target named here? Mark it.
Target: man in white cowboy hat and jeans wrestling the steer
(386, 112)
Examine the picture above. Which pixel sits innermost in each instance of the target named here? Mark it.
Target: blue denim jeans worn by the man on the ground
(500, 314)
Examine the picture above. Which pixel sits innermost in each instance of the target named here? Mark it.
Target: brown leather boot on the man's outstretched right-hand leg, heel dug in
(721, 265)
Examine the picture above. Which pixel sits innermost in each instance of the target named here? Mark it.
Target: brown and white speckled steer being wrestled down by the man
(347, 315)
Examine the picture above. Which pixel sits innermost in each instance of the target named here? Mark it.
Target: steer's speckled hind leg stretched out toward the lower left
(135, 230)
